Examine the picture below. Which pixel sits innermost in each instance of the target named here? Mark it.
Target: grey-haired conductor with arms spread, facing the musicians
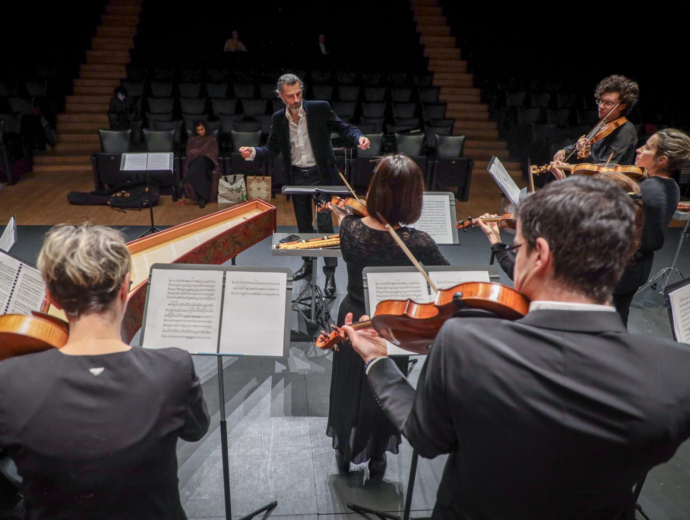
(302, 133)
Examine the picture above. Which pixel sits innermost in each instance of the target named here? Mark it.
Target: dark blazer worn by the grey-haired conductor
(320, 121)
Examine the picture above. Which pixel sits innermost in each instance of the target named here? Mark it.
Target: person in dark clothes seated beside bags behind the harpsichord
(201, 171)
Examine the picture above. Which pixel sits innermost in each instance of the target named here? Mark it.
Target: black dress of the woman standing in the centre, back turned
(356, 423)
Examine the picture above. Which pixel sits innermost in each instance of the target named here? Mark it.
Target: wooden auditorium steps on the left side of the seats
(86, 110)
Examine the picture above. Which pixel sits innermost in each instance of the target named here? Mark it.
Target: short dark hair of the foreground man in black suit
(589, 225)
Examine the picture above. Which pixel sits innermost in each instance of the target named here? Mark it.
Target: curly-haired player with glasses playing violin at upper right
(615, 96)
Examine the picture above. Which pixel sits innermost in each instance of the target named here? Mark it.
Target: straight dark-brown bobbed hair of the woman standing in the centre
(396, 190)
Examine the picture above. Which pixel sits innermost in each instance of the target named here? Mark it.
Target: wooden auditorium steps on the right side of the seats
(463, 101)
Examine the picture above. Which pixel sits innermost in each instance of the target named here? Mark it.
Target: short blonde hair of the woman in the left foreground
(84, 266)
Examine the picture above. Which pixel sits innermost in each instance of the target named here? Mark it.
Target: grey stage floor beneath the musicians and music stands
(277, 411)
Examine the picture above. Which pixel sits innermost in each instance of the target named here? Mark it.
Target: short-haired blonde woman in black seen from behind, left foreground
(93, 427)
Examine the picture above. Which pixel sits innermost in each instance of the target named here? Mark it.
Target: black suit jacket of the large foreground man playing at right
(557, 415)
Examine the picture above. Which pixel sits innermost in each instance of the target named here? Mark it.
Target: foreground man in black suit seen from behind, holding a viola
(558, 414)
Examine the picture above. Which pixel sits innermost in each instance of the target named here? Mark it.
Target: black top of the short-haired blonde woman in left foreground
(94, 437)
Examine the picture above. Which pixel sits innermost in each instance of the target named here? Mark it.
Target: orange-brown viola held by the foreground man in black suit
(413, 326)
